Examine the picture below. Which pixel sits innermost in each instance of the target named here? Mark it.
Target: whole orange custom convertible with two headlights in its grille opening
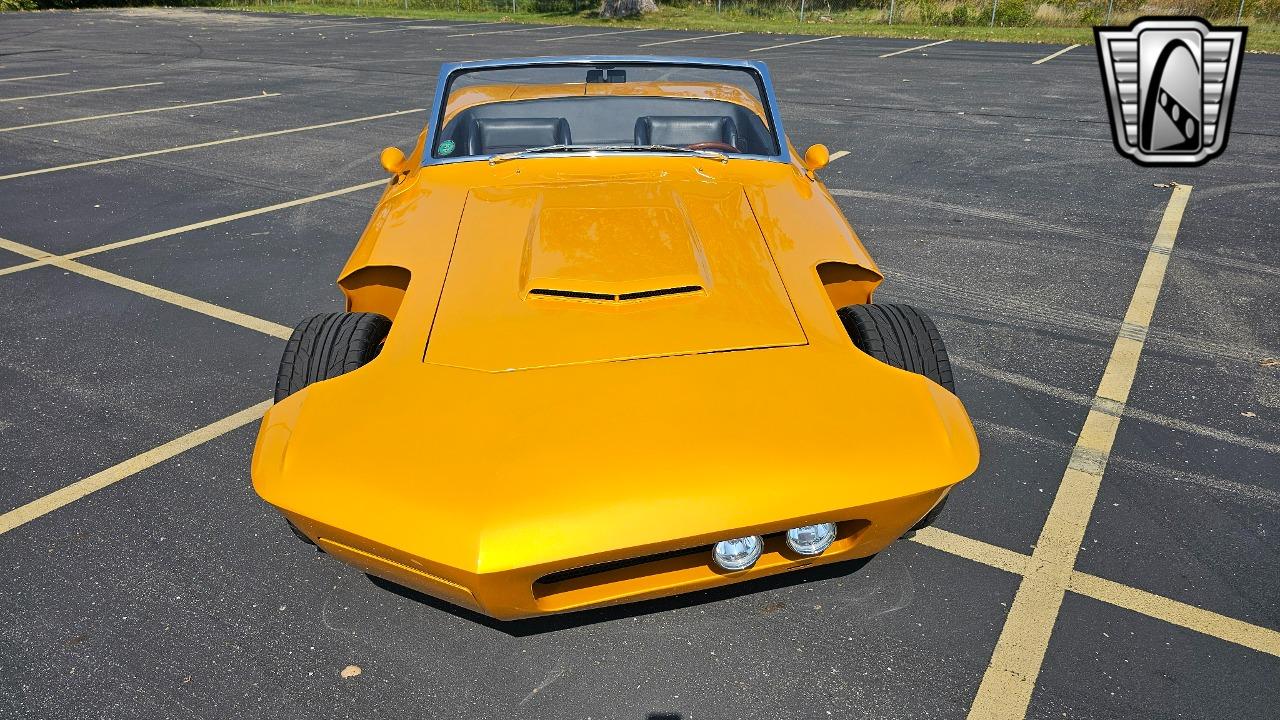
(609, 339)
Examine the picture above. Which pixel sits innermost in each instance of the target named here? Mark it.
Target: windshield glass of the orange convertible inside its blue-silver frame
(606, 108)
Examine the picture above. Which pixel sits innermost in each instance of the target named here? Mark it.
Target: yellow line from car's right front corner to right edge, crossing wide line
(1181, 614)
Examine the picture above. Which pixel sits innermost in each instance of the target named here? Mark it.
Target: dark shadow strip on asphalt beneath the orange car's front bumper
(583, 618)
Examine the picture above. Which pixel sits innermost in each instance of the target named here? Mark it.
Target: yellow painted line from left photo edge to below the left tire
(65, 496)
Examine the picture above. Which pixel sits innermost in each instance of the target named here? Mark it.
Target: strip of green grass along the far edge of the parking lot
(1264, 38)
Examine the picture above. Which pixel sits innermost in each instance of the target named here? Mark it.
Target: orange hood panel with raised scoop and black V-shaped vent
(602, 271)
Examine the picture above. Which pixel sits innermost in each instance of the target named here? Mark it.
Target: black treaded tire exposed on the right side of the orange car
(900, 336)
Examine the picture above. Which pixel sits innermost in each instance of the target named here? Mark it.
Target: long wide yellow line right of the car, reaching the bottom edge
(1009, 682)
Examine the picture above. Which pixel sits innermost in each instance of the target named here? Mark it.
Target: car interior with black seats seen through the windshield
(513, 126)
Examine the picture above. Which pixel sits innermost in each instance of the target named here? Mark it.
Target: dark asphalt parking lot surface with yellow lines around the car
(180, 188)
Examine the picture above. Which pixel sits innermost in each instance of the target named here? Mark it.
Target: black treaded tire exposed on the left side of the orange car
(327, 347)
